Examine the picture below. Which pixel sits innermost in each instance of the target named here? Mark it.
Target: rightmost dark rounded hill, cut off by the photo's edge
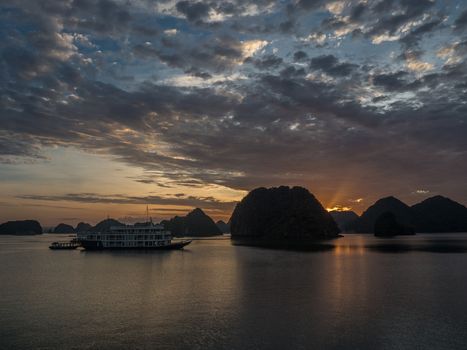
(440, 214)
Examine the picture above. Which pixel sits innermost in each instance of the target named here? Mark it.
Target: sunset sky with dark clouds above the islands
(107, 106)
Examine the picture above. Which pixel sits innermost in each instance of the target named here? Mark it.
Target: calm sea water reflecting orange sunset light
(361, 292)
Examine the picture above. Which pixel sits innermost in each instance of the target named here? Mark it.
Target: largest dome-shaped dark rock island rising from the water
(281, 214)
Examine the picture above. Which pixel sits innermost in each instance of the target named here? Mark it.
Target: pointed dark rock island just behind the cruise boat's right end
(195, 223)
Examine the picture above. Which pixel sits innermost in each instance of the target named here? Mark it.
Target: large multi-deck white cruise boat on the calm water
(139, 236)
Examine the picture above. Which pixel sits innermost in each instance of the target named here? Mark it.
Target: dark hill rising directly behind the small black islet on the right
(366, 222)
